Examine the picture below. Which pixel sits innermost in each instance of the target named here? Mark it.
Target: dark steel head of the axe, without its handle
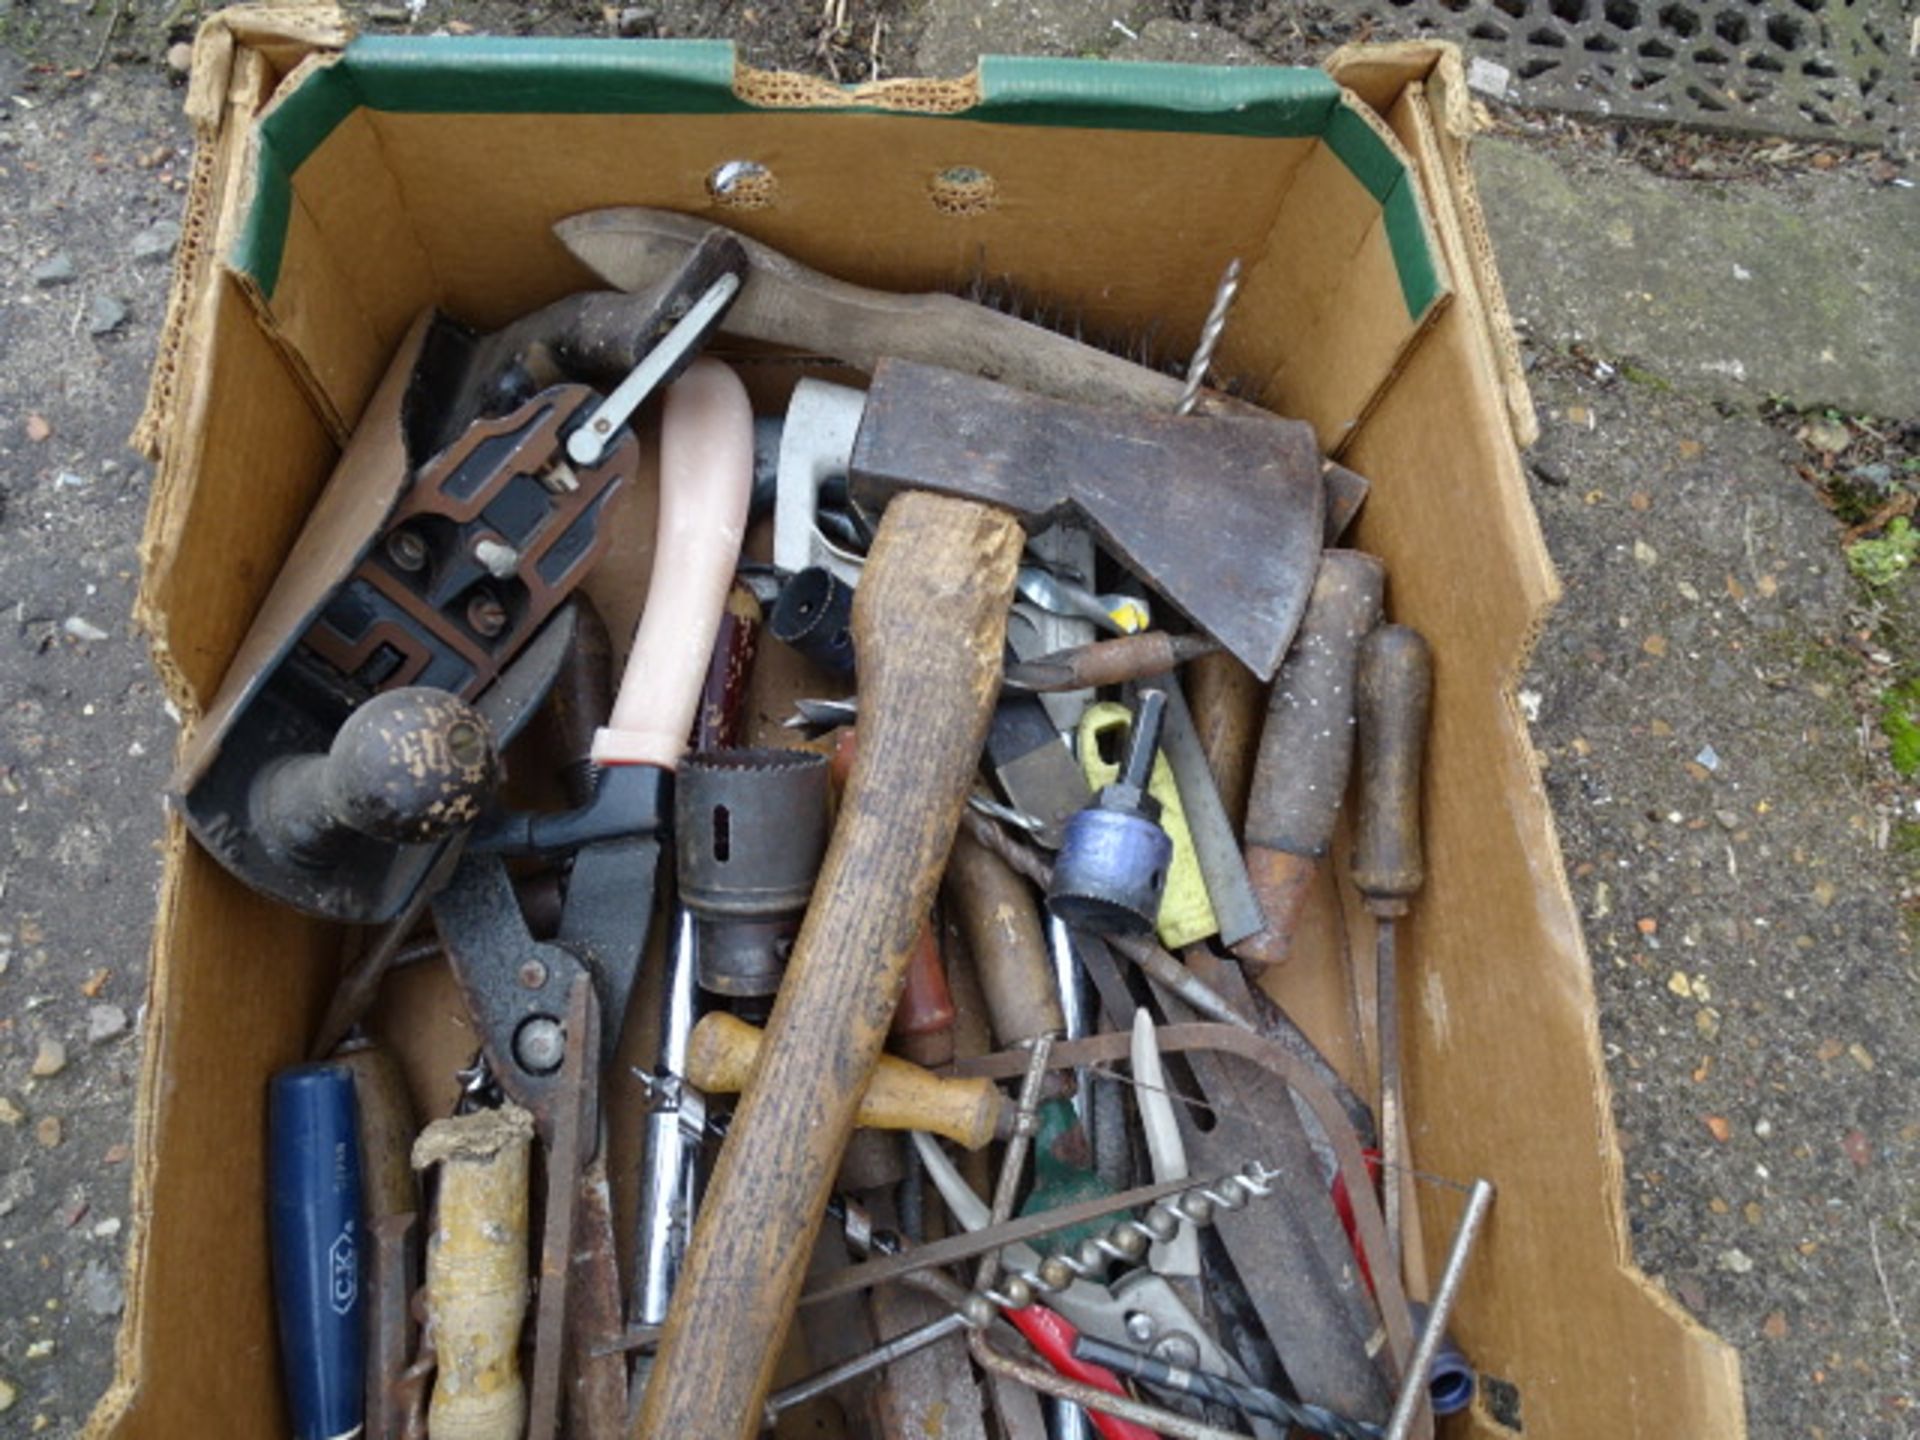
(1218, 516)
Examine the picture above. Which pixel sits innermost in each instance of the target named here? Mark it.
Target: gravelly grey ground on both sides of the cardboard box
(1708, 708)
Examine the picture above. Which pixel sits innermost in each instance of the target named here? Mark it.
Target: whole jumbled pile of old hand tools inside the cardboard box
(982, 936)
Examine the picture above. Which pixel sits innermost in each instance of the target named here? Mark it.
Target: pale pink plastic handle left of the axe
(706, 485)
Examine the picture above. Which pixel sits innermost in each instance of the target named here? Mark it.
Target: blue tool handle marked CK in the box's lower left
(314, 1186)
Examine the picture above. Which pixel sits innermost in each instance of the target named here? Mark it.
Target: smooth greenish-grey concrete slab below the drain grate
(1810, 293)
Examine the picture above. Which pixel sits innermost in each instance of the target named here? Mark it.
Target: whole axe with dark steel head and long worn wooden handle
(930, 625)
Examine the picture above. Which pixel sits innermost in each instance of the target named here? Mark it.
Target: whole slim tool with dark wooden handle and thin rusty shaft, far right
(1387, 865)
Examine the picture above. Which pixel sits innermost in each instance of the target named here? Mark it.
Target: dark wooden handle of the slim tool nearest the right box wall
(1395, 702)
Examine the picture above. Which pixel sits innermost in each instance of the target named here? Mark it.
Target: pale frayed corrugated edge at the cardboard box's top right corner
(1378, 76)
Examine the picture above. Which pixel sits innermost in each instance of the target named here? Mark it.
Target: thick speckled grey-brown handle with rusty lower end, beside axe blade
(1307, 750)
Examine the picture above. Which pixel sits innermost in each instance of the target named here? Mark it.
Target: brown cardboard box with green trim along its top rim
(341, 189)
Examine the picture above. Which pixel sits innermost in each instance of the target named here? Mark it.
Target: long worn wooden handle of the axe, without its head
(930, 627)
